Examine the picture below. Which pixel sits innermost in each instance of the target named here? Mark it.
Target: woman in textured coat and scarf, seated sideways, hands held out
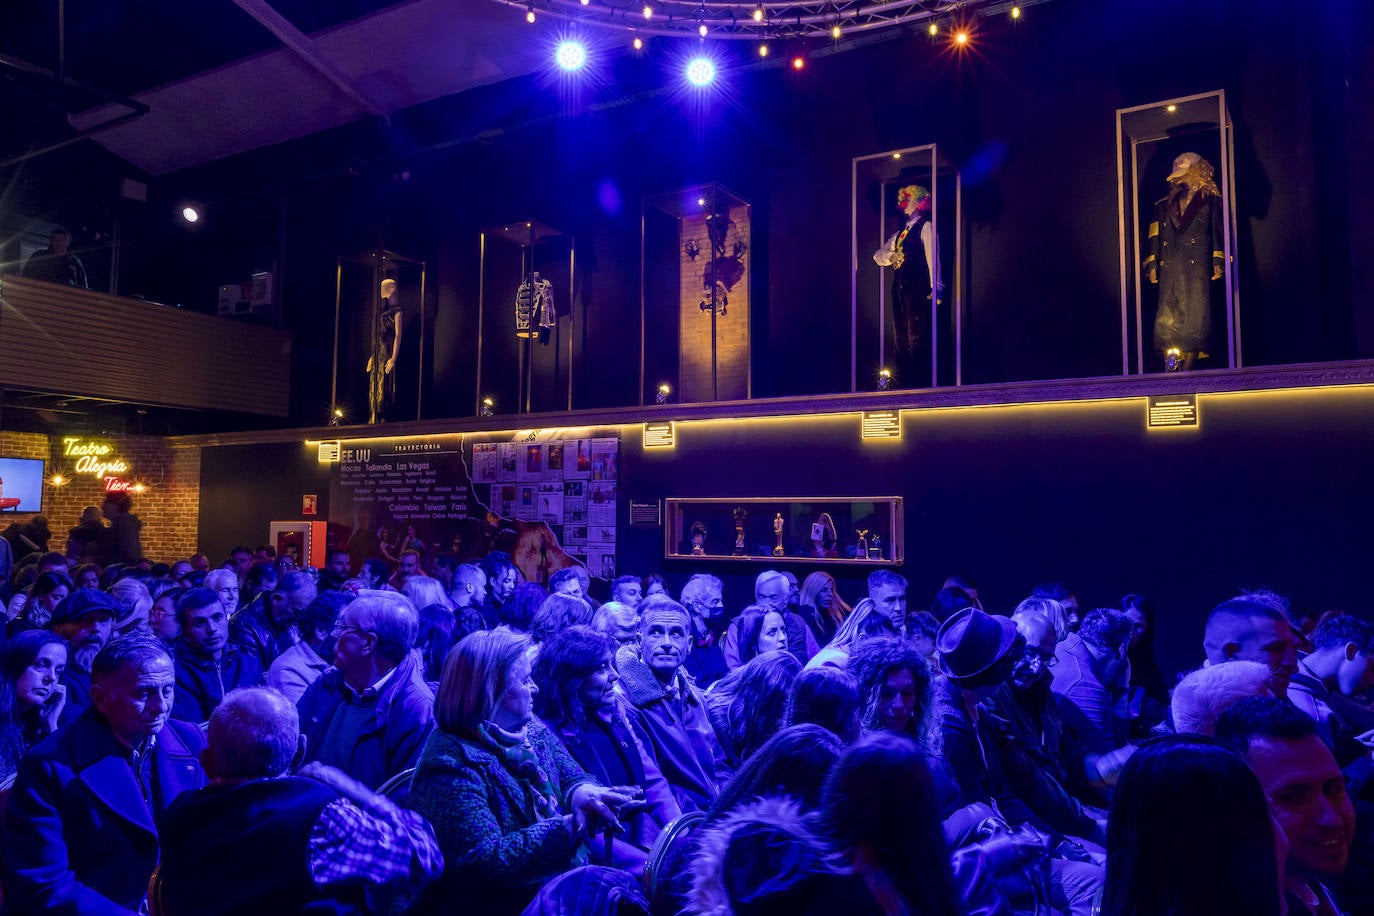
(509, 805)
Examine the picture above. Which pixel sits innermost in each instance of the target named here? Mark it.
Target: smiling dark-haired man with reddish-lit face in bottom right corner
(1306, 793)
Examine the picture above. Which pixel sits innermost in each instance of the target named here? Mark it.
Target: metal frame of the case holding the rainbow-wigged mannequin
(939, 167)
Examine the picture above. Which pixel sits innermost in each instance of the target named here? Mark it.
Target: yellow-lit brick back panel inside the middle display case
(732, 329)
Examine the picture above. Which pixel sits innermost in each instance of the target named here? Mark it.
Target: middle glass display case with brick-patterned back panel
(695, 296)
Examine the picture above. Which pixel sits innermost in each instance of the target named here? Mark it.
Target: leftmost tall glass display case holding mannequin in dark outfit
(380, 319)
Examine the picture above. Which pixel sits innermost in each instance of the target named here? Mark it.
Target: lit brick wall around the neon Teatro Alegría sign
(170, 507)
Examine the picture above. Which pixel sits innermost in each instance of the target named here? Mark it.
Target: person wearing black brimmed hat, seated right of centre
(979, 653)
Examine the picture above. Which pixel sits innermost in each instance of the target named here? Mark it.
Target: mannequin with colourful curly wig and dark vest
(912, 252)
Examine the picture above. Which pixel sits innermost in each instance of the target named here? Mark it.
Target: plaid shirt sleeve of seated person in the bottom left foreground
(351, 845)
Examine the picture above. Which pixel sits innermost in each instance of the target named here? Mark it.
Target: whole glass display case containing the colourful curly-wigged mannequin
(908, 296)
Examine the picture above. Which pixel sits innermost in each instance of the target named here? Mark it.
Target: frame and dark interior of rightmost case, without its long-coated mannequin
(1149, 141)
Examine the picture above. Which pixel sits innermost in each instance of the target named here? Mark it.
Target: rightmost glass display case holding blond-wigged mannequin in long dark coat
(1189, 315)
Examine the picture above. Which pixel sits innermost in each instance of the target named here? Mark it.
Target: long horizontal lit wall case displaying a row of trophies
(774, 531)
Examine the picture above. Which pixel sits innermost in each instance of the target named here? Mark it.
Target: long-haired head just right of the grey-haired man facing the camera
(747, 708)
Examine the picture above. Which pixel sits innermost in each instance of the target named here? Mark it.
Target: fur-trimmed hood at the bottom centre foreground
(782, 855)
